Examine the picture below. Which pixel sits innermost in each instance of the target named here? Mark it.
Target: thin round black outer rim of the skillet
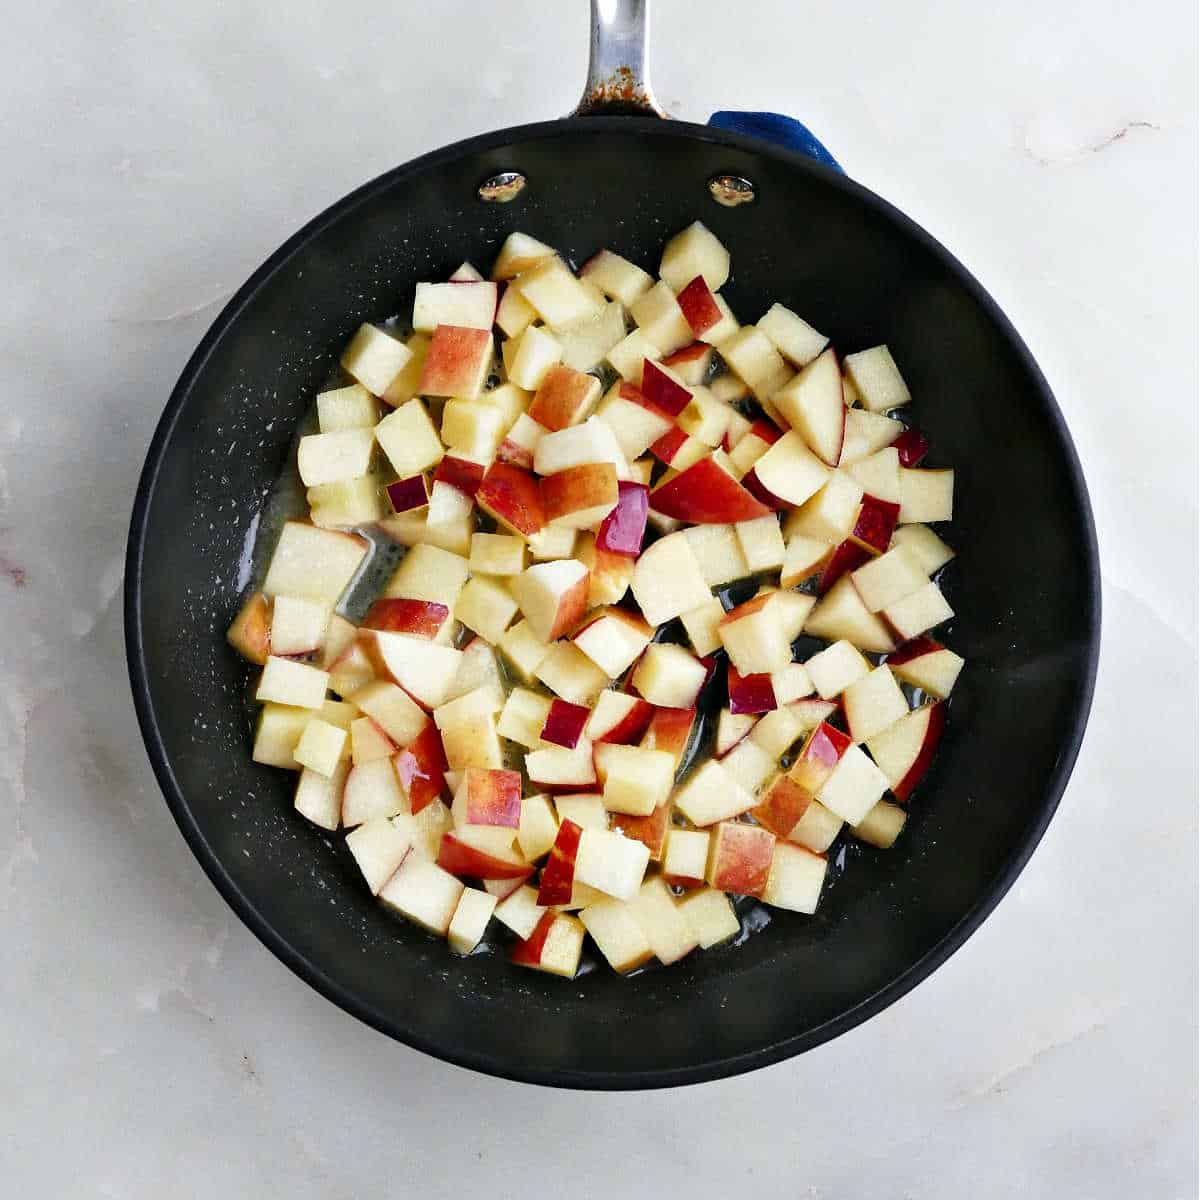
(331, 988)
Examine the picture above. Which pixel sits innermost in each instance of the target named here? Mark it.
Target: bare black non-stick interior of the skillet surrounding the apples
(1024, 586)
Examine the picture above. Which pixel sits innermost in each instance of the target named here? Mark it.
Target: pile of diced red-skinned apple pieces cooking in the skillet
(579, 464)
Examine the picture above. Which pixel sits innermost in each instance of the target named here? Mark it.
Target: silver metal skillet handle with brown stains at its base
(619, 75)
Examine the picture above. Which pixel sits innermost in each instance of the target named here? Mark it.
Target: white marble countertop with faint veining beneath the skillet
(149, 1046)
